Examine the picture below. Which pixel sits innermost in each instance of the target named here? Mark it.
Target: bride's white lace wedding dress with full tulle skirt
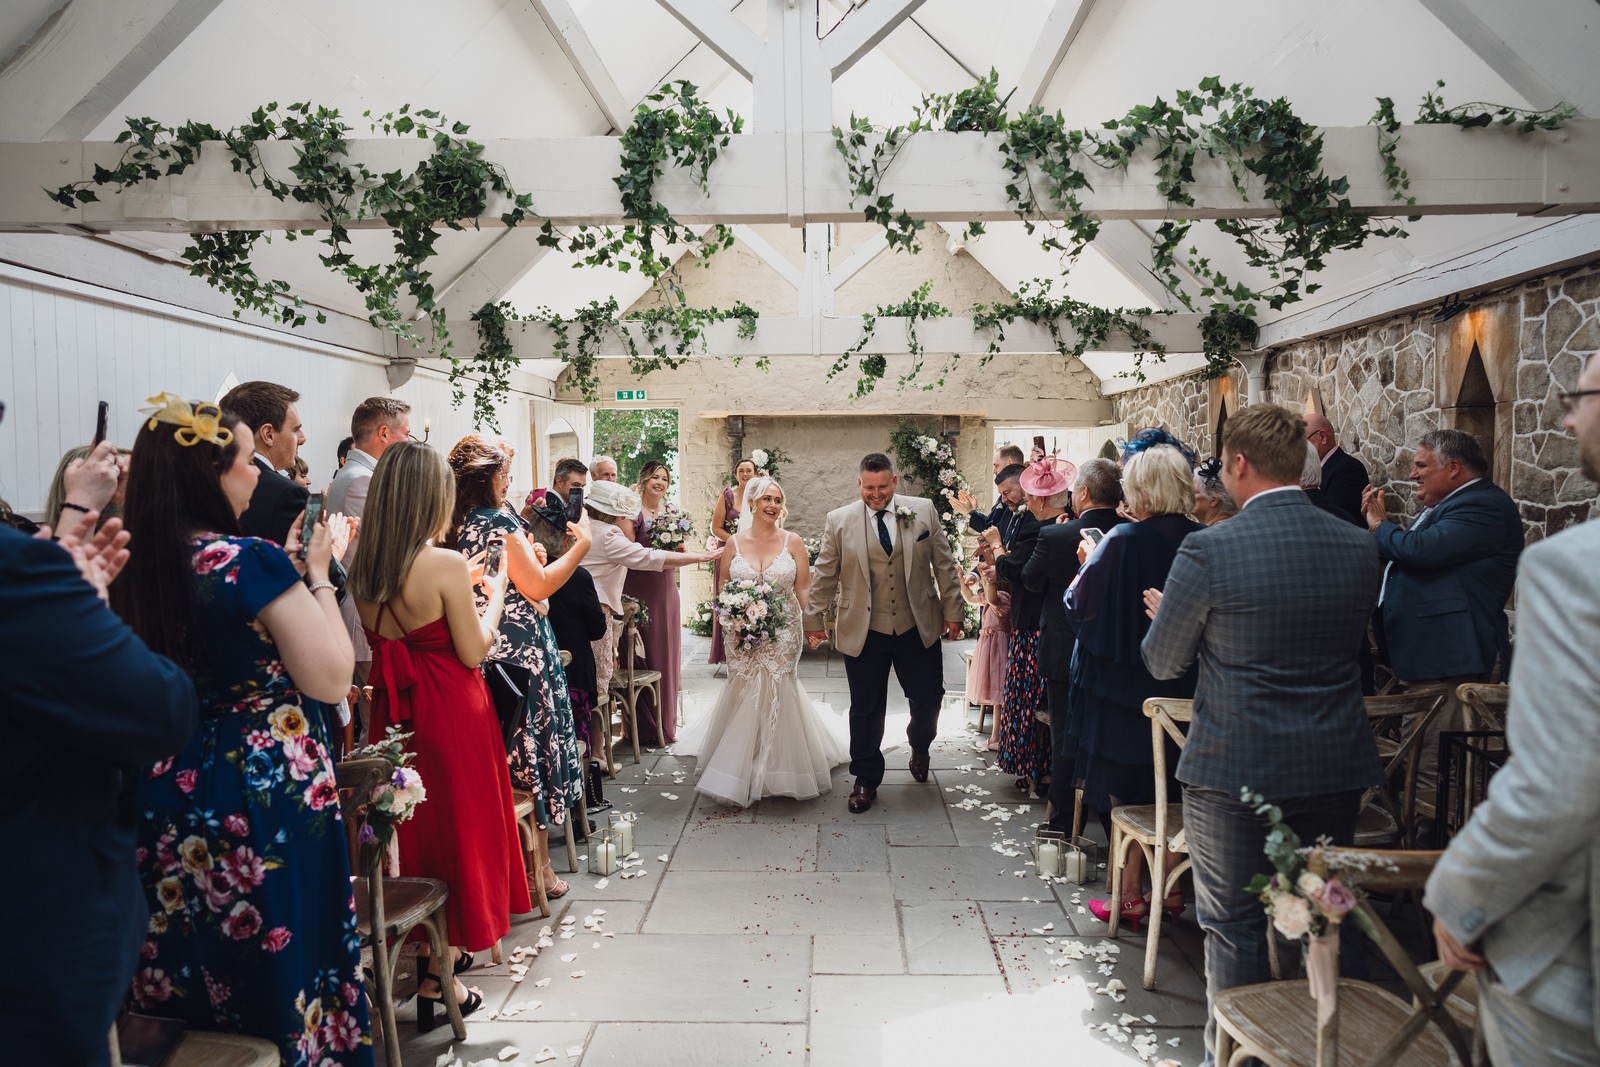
(766, 738)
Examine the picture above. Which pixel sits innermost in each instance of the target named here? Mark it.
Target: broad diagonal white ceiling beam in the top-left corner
(86, 62)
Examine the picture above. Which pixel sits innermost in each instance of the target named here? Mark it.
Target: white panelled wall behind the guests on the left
(65, 346)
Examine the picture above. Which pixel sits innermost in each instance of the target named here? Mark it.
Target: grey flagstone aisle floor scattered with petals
(798, 933)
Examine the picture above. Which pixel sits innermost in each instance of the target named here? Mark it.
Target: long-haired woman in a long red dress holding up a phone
(428, 639)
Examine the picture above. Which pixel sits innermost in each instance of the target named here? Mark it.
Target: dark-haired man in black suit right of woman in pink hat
(1097, 494)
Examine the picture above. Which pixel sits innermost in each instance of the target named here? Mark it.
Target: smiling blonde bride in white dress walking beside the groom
(766, 738)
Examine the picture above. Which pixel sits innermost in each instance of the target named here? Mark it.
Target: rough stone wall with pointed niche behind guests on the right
(1495, 370)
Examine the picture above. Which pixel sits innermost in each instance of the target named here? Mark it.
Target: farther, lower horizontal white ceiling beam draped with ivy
(802, 337)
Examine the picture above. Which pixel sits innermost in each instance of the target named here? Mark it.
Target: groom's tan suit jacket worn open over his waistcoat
(844, 569)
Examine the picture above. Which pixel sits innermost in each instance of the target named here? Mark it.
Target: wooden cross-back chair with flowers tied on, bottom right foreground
(1278, 1023)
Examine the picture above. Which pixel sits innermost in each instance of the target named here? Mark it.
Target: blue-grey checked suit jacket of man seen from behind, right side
(1274, 602)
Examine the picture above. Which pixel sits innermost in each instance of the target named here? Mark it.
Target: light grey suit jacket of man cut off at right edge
(1521, 877)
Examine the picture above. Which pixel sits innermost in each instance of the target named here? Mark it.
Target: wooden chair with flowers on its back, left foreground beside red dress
(390, 909)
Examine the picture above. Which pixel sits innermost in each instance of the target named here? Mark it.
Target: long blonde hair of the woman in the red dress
(409, 505)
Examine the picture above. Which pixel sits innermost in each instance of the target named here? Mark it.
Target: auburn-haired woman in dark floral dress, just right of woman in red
(543, 745)
